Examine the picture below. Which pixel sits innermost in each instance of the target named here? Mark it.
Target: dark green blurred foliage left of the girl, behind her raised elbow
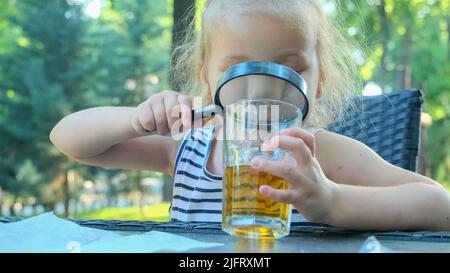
(55, 60)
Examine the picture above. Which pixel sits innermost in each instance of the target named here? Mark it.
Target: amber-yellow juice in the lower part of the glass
(247, 213)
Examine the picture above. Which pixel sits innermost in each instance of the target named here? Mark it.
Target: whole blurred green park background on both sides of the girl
(61, 56)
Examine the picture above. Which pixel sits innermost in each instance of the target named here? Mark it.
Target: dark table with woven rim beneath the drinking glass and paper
(304, 237)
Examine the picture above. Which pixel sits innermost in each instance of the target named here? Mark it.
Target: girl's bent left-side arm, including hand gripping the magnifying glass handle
(116, 137)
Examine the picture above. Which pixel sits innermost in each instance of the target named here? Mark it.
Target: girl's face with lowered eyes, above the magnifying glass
(261, 37)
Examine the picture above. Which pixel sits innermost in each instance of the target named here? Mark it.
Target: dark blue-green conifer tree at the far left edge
(39, 75)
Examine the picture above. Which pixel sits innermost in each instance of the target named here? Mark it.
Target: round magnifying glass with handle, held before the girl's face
(257, 80)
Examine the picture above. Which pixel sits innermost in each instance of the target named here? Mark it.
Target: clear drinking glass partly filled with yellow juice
(245, 212)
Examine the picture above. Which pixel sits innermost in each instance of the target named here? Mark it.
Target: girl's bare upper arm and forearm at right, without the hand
(387, 197)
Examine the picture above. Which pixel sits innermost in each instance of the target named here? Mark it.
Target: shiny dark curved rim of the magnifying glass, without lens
(265, 69)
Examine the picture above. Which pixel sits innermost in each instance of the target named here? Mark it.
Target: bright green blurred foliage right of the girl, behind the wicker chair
(409, 38)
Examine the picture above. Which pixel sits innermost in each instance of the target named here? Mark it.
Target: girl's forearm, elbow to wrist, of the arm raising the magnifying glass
(90, 132)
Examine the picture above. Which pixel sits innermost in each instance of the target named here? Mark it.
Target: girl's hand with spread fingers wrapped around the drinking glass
(309, 190)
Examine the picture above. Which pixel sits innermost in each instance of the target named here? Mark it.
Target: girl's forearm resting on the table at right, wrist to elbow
(413, 206)
